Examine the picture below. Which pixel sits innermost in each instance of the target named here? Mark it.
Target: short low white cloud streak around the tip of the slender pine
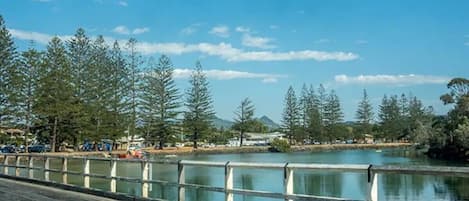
(182, 73)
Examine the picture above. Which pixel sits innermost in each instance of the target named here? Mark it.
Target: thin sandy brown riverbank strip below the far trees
(228, 150)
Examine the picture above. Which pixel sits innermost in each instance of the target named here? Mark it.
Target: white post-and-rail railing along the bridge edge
(144, 180)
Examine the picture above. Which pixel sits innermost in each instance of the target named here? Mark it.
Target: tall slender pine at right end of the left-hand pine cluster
(199, 114)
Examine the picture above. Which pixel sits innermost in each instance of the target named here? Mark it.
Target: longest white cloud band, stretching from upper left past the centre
(222, 50)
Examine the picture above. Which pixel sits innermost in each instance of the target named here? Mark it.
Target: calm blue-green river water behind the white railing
(335, 184)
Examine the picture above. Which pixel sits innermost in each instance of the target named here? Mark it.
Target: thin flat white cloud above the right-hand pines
(399, 80)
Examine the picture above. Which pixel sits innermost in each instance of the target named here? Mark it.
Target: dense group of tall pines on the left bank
(84, 88)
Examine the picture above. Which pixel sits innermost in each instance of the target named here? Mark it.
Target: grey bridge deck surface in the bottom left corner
(22, 191)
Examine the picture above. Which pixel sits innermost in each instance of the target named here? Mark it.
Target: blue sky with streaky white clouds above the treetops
(257, 49)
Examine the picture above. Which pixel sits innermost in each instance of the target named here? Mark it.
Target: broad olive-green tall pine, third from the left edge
(55, 93)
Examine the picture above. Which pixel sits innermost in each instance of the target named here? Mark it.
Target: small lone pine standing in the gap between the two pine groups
(244, 117)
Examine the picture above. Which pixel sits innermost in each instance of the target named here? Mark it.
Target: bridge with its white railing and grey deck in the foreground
(21, 167)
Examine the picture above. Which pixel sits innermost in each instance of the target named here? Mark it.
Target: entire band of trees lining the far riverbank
(87, 88)
